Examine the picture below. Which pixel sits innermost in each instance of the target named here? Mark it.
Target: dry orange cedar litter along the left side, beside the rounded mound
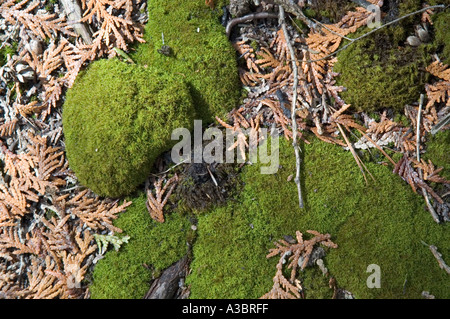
(47, 221)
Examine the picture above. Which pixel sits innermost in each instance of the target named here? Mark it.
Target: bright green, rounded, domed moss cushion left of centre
(117, 119)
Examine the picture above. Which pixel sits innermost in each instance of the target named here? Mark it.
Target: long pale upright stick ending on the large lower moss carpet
(294, 101)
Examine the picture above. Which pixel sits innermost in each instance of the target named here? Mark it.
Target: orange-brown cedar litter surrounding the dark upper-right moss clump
(265, 71)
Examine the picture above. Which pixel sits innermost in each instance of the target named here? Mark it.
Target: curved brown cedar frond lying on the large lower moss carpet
(284, 288)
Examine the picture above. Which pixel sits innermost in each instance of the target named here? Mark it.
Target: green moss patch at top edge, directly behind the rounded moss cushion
(201, 53)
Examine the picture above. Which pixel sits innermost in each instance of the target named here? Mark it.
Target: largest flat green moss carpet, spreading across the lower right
(382, 223)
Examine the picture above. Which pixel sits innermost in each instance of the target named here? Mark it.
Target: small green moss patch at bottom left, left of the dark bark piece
(123, 274)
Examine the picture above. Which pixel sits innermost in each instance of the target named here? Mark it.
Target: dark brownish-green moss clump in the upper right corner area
(383, 70)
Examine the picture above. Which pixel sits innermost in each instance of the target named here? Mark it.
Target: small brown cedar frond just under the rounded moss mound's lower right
(155, 203)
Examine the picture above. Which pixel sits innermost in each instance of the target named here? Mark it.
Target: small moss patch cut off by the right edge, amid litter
(437, 150)
